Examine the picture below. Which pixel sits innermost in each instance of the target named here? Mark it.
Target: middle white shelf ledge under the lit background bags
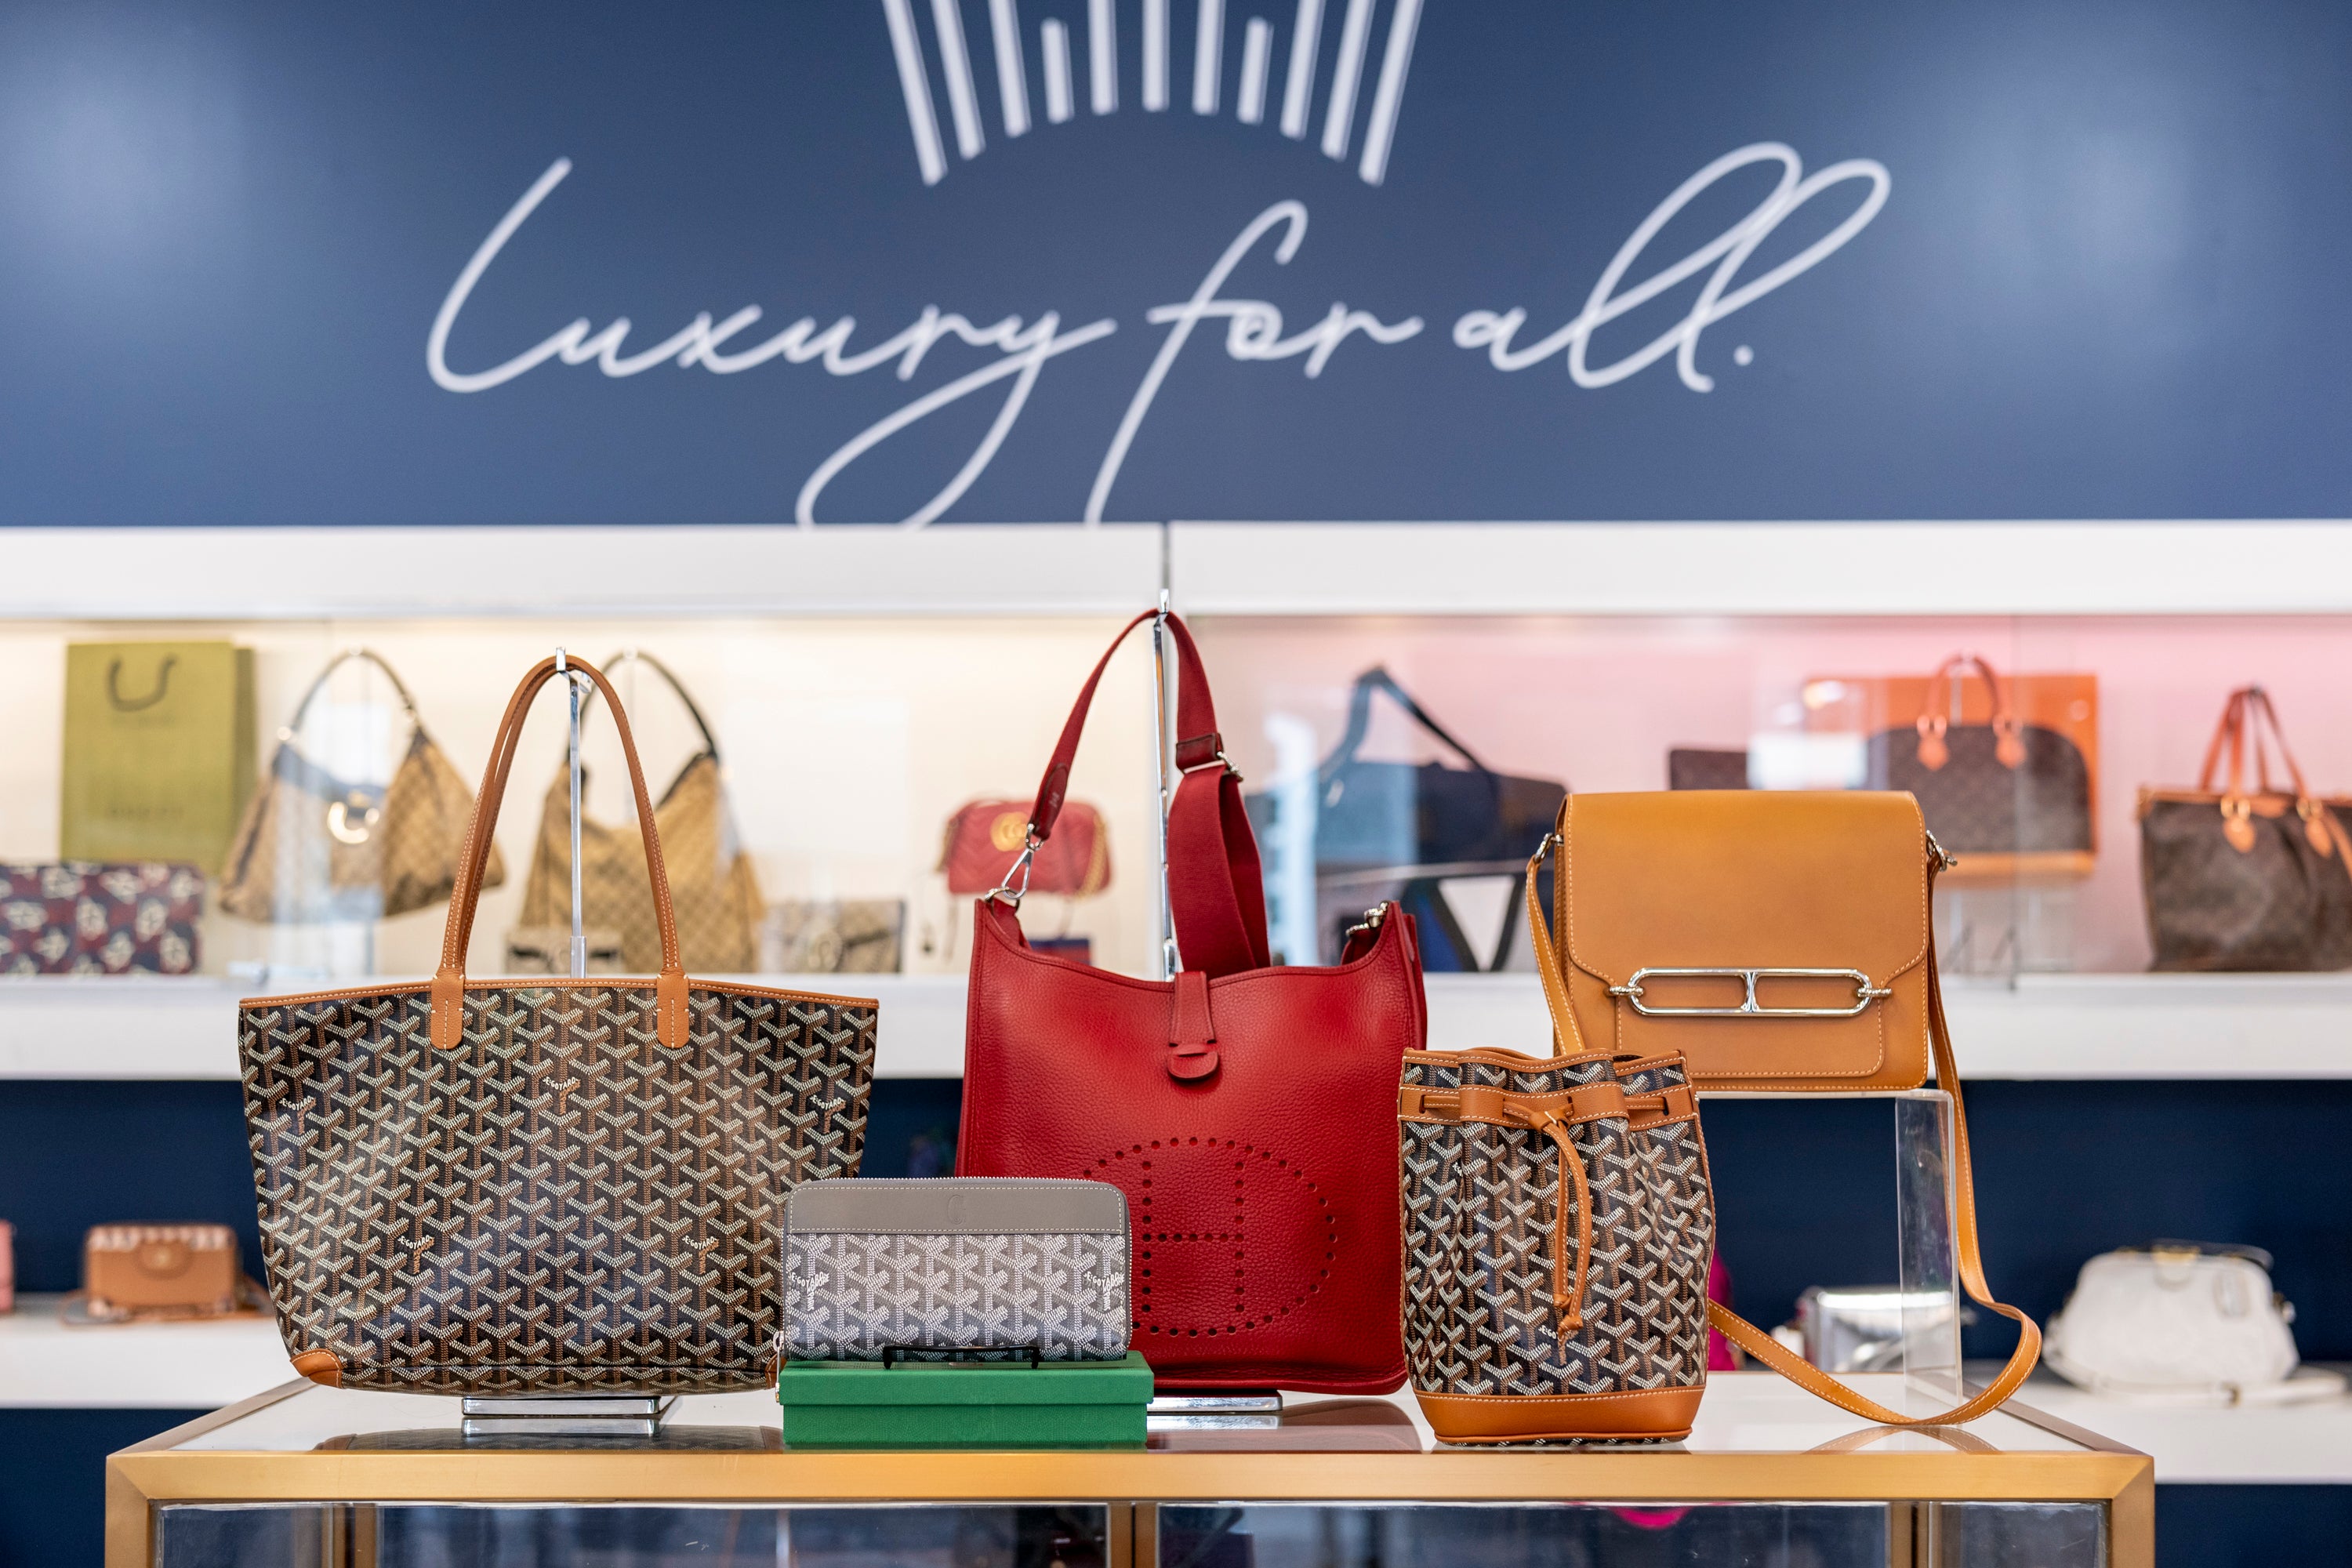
(2033, 1028)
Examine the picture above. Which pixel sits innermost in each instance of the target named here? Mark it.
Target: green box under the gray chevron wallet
(965, 1405)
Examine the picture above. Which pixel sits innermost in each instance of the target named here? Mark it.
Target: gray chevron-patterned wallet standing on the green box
(977, 1266)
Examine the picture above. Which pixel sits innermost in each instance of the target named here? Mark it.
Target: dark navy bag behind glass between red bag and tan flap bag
(1405, 829)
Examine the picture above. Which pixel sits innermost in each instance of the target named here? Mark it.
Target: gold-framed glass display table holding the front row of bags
(1770, 1475)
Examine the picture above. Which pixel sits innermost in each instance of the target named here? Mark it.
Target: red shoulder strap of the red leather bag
(1217, 890)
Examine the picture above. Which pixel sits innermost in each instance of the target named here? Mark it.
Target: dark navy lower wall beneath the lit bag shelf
(1805, 1191)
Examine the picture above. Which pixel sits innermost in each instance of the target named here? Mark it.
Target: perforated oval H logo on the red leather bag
(1224, 1235)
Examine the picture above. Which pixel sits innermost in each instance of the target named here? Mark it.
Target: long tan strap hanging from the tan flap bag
(1972, 1268)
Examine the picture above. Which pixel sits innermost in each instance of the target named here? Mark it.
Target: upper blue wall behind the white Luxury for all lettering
(2104, 283)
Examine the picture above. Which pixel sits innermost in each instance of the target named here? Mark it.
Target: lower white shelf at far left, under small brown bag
(133, 1367)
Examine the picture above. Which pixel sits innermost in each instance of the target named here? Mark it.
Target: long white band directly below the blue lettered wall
(1215, 568)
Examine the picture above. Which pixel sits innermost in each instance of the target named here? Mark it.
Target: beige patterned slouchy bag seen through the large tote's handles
(714, 890)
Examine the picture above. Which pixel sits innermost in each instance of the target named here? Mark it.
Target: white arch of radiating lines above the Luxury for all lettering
(1057, 65)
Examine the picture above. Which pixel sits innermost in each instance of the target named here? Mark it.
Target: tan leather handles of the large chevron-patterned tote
(450, 979)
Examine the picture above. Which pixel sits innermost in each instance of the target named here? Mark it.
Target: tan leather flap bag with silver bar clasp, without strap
(1775, 939)
